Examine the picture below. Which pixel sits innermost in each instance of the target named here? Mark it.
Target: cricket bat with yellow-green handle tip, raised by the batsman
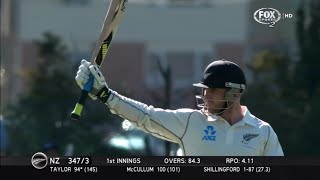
(108, 30)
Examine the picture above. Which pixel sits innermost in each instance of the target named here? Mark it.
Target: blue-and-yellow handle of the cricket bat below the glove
(76, 113)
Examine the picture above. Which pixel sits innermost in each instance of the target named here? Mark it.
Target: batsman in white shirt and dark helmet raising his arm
(220, 127)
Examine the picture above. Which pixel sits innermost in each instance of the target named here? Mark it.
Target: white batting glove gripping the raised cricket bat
(100, 88)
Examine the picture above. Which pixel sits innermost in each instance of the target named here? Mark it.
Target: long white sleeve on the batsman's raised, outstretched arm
(165, 124)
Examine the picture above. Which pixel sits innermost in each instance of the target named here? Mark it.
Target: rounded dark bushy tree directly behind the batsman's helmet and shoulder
(268, 99)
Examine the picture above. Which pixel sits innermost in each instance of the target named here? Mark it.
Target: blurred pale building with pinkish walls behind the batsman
(185, 35)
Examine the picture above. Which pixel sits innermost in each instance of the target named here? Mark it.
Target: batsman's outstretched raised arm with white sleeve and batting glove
(166, 124)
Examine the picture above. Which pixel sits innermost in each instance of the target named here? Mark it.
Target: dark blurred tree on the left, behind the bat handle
(42, 113)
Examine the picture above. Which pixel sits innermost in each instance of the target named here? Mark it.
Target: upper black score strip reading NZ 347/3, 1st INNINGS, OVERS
(166, 161)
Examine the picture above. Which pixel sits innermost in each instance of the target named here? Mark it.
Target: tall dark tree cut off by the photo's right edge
(307, 74)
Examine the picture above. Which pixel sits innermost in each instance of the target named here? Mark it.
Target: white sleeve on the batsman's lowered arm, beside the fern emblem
(273, 146)
